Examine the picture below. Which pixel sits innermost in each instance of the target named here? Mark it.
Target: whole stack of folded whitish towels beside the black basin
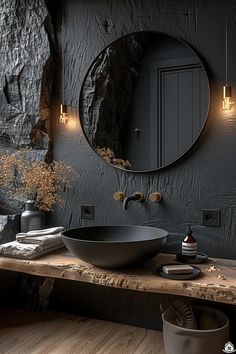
(33, 244)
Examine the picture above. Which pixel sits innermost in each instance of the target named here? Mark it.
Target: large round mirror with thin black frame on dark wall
(144, 101)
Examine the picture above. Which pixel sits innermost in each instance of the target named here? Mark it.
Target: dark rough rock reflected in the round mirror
(107, 90)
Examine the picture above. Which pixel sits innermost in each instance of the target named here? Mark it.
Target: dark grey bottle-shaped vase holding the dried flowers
(32, 218)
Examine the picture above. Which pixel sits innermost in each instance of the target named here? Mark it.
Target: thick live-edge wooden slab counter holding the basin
(61, 264)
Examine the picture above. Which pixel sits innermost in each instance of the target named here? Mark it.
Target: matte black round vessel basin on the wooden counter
(115, 246)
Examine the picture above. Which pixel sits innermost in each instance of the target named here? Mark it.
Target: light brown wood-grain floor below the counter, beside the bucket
(59, 333)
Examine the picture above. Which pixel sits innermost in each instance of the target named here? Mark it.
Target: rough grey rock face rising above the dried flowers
(25, 82)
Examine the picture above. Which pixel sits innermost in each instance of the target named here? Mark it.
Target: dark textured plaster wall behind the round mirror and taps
(205, 177)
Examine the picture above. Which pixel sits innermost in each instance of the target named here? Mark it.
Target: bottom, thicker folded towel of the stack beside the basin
(26, 251)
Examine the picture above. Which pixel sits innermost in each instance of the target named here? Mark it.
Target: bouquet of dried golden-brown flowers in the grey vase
(23, 178)
